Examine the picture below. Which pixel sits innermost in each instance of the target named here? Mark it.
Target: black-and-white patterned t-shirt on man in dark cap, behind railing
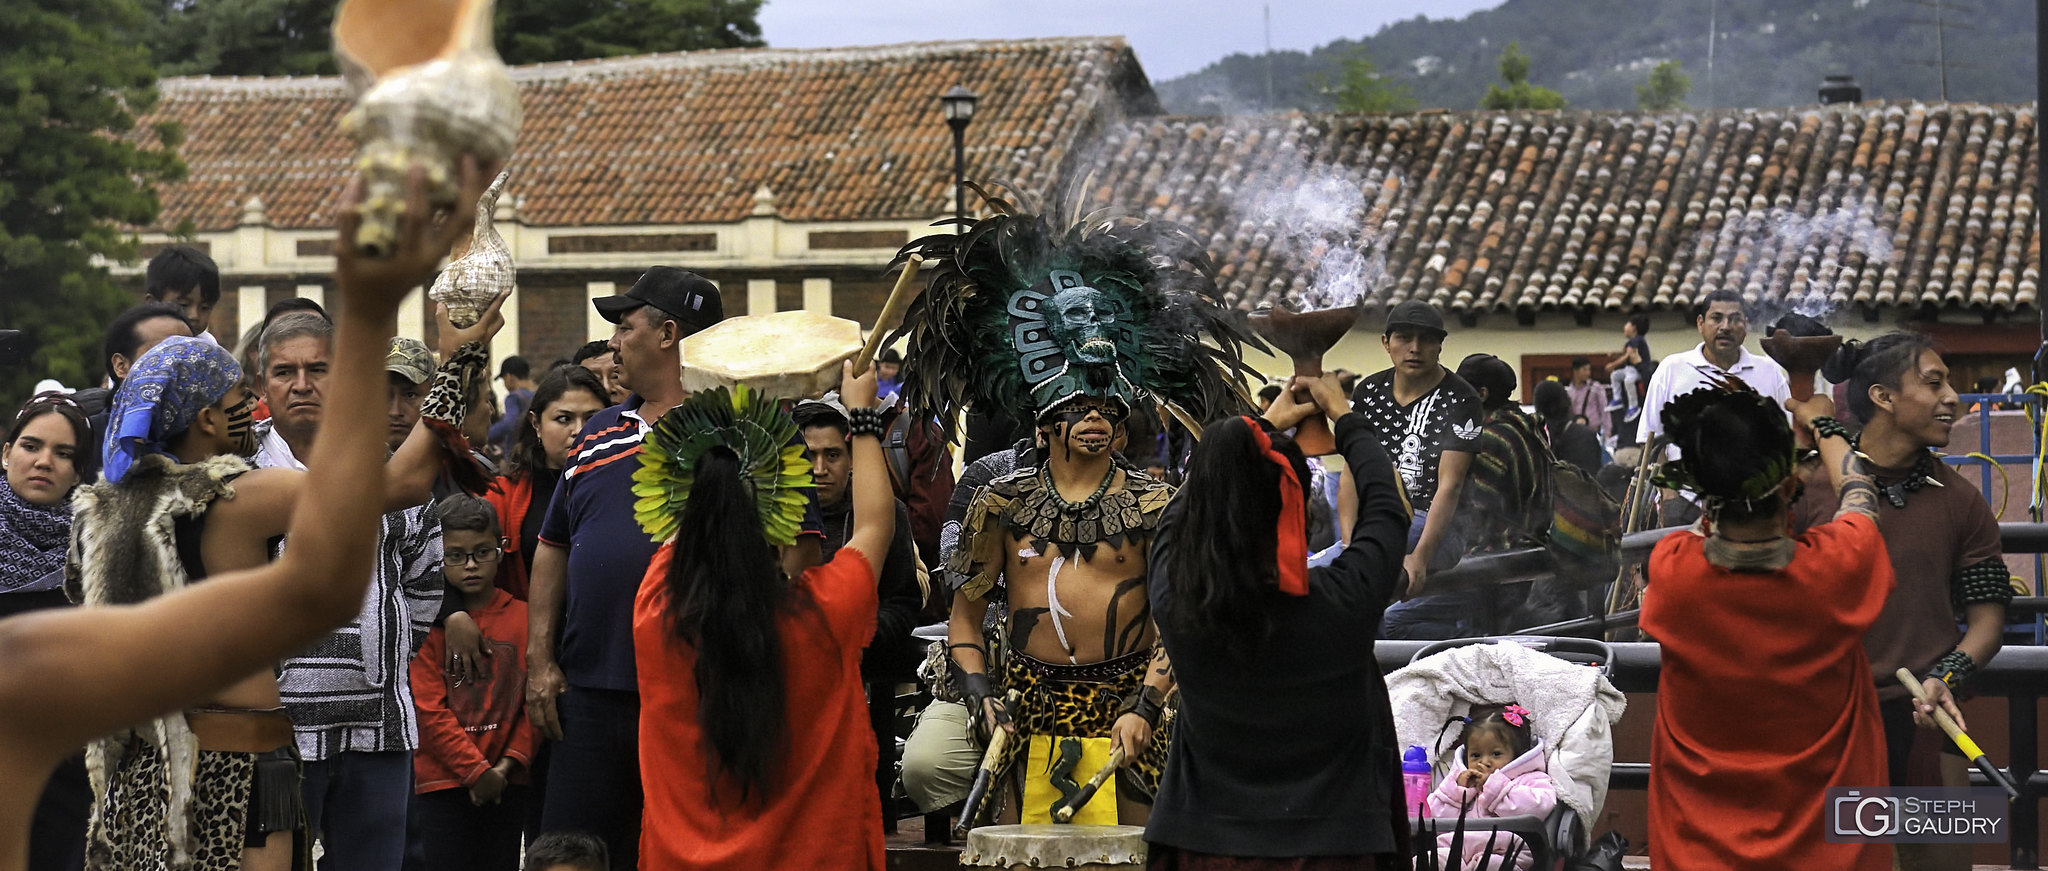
(1416, 435)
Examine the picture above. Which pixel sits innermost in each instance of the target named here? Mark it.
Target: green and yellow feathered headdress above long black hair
(742, 421)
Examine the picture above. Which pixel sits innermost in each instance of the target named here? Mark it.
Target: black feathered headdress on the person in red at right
(1682, 421)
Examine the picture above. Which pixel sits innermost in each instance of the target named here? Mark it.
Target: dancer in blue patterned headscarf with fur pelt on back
(206, 788)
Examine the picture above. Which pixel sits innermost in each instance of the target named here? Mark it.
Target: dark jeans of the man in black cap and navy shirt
(593, 780)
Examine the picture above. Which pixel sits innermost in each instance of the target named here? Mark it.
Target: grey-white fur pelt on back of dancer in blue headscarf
(124, 552)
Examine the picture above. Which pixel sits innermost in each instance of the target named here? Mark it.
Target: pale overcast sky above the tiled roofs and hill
(1170, 38)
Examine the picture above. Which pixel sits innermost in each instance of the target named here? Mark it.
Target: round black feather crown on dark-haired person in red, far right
(1701, 423)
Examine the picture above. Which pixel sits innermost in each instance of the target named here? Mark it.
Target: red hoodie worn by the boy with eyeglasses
(468, 729)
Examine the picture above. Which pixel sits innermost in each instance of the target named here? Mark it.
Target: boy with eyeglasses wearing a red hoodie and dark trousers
(476, 741)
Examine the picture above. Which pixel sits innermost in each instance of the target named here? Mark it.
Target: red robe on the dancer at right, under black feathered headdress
(1764, 702)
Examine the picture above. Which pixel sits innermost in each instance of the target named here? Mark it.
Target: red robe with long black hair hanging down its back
(822, 811)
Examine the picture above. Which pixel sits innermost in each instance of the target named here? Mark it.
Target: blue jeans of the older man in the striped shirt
(357, 806)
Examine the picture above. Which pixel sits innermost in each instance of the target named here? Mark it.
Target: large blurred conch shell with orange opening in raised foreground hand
(429, 89)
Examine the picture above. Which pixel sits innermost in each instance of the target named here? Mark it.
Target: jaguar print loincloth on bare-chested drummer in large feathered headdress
(1082, 702)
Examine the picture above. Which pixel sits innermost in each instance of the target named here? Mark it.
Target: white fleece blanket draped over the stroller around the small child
(1574, 712)
